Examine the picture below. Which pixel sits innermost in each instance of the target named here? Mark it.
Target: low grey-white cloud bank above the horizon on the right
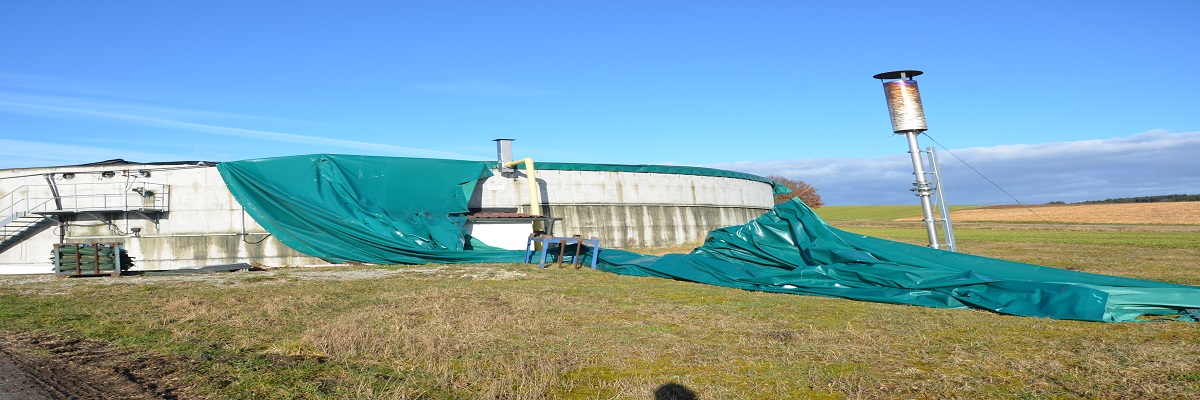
(1149, 164)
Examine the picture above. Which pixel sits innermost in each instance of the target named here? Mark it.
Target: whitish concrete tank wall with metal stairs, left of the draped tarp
(190, 220)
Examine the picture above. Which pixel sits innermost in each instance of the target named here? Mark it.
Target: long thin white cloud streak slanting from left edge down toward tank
(62, 108)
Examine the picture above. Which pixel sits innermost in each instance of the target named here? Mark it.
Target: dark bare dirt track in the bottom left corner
(38, 368)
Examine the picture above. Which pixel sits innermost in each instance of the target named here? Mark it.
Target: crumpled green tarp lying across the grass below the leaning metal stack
(790, 250)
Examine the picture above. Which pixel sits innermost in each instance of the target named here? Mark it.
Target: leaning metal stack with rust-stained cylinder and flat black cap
(909, 120)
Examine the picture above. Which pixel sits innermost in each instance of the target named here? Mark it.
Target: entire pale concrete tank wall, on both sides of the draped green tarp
(179, 216)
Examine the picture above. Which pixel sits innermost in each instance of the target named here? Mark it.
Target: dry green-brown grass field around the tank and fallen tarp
(515, 332)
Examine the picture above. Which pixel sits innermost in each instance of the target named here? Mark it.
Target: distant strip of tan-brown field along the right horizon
(1180, 213)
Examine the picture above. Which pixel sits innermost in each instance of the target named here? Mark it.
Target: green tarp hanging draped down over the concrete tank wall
(364, 208)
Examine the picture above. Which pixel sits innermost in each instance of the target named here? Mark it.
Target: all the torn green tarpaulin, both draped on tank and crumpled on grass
(411, 211)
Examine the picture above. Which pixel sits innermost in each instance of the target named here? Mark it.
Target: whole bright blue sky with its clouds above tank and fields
(1051, 100)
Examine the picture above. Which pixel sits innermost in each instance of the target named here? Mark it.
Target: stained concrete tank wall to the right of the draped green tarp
(631, 210)
